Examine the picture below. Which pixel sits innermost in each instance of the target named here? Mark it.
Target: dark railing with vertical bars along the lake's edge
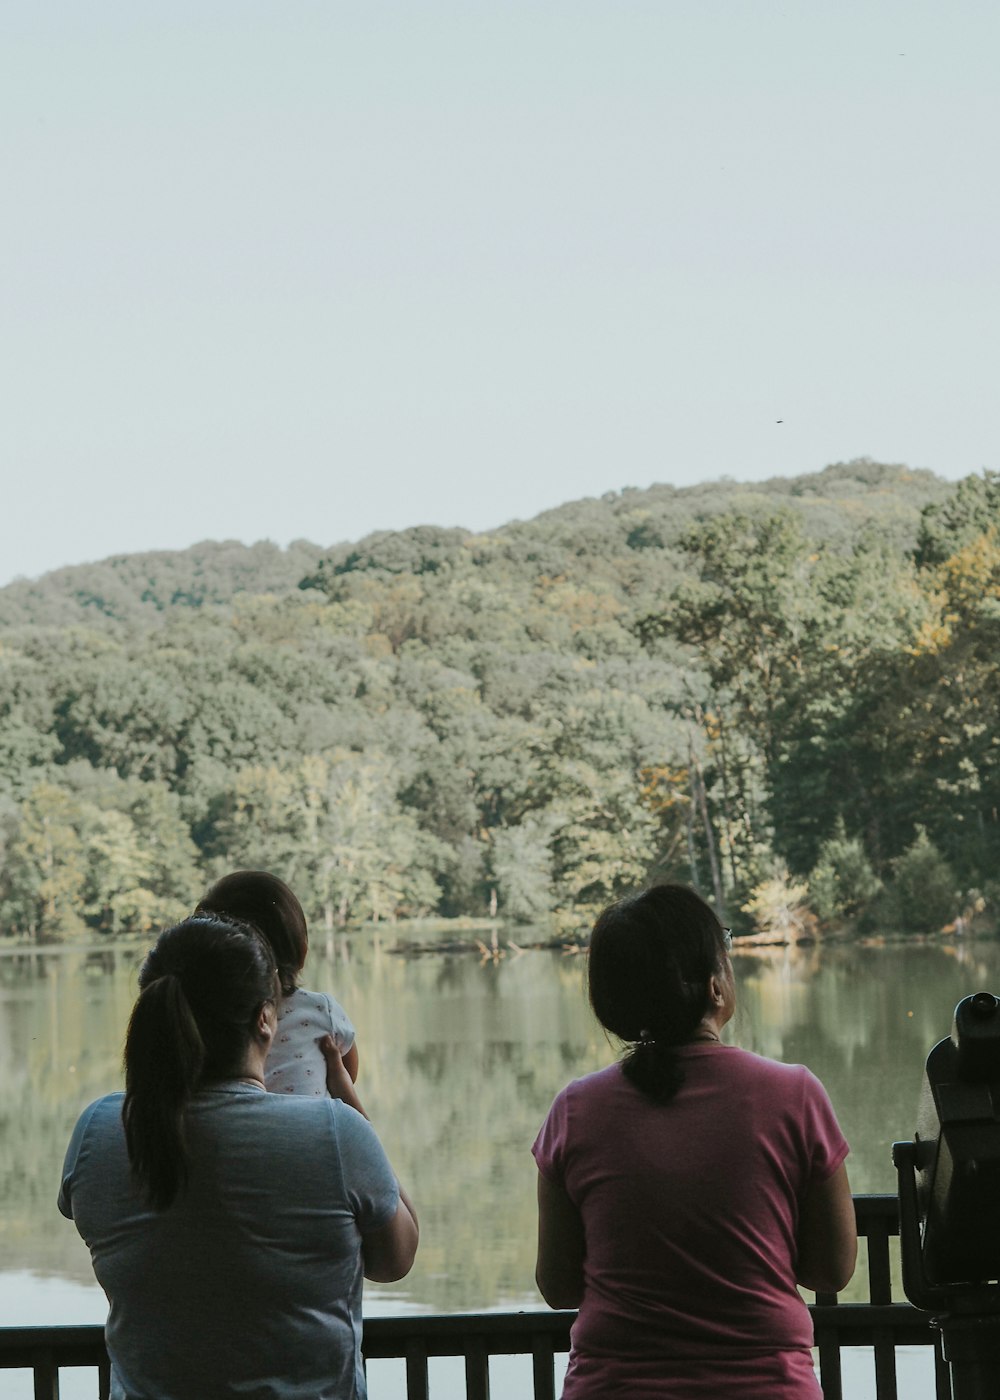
(880, 1324)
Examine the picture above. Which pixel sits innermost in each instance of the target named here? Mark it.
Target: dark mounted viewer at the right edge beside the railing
(950, 1198)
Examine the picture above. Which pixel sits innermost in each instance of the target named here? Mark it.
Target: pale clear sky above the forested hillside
(312, 269)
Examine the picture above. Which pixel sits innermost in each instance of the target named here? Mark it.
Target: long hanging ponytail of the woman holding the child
(165, 1056)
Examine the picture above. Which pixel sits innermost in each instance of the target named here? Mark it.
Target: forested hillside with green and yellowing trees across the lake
(786, 694)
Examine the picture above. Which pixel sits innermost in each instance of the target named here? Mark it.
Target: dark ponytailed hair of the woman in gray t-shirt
(202, 990)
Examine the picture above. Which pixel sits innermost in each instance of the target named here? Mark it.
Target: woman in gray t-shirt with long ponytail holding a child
(230, 1227)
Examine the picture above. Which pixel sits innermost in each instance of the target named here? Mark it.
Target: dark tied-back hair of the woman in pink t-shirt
(652, 957)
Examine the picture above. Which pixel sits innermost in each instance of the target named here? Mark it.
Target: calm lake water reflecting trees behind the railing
(460, 1062)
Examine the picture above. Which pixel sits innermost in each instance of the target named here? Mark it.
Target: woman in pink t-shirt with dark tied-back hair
(686, 1192)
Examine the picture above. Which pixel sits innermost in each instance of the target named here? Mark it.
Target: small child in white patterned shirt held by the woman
(296, 1065)
